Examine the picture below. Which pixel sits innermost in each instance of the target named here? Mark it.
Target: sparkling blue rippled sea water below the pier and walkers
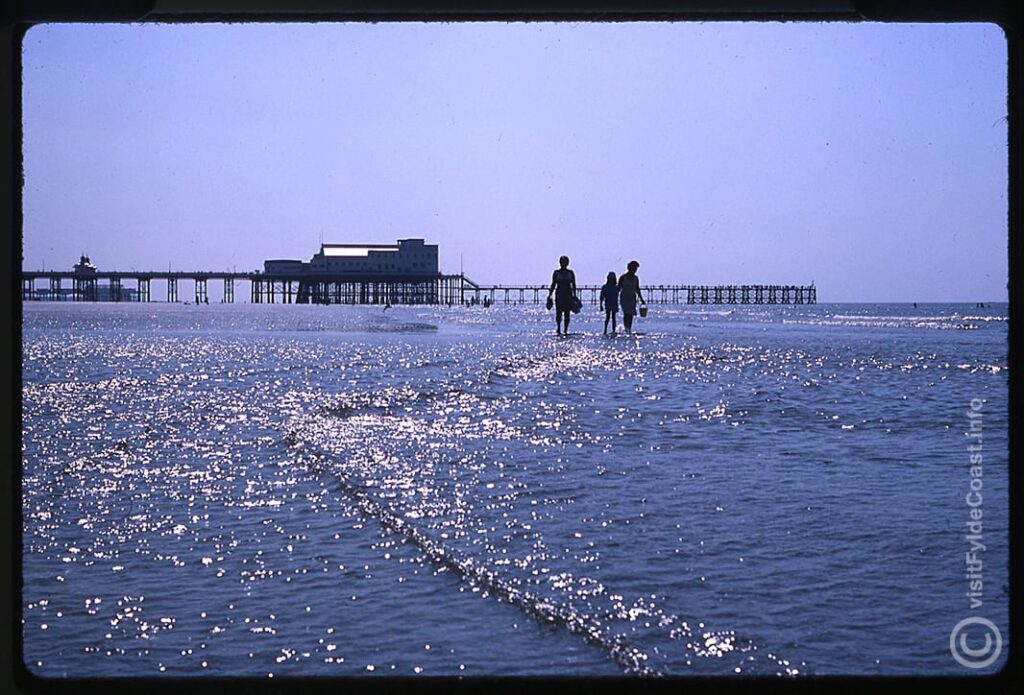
(336, 491)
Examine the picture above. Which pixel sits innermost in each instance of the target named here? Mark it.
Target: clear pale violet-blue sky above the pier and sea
(869, 159)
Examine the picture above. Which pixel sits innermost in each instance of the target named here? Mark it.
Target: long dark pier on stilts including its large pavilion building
(405, 273)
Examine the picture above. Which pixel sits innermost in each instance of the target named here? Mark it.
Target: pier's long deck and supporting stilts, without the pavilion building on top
(373, 289)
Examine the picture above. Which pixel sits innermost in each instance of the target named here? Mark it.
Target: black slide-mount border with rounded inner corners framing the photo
(16, 678)
